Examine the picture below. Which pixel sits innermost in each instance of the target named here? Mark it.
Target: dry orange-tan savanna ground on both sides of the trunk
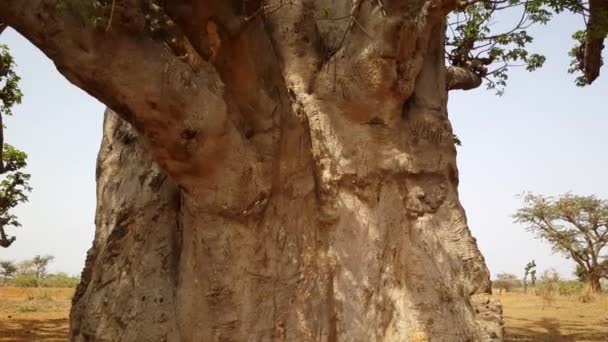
(41, 314)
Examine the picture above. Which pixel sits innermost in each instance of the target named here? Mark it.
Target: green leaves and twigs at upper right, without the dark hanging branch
(472, 43)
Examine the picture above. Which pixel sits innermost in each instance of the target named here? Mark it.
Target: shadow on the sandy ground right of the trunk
(550, 330)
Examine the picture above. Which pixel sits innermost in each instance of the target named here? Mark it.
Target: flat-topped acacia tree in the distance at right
(576, 226)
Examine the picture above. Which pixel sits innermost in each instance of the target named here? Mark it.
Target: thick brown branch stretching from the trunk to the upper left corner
(174, 101)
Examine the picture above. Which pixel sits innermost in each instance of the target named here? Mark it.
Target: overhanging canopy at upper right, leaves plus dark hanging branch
(488, 53)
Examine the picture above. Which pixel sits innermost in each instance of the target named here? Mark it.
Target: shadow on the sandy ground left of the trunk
(34, 329)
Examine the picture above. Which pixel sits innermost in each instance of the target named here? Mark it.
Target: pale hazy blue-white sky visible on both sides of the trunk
(544, 135)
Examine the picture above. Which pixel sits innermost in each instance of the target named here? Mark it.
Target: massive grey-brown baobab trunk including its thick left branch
(276, 171)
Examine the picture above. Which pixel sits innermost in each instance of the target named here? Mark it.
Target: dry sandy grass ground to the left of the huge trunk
(34, 314)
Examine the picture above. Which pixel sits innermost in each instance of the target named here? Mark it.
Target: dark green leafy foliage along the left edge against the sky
(13, 181)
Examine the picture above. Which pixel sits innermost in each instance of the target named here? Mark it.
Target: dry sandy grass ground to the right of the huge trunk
(566, 320)
